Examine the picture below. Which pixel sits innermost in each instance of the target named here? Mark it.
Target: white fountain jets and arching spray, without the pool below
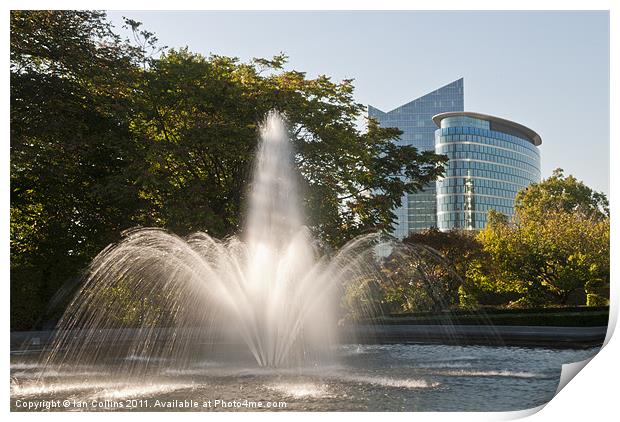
(155, 296)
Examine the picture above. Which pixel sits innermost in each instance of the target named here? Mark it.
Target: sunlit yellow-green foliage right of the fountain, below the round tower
(554, 252)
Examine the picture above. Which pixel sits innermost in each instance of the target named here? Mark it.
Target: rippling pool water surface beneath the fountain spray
(397, 377)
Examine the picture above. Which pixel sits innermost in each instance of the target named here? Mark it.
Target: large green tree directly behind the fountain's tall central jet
(200, 117)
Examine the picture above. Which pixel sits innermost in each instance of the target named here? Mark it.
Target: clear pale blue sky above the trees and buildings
(546, 70)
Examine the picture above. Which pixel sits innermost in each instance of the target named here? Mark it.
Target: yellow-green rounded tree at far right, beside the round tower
(556, 251)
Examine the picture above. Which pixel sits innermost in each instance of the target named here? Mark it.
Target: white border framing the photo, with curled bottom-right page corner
(589, 397)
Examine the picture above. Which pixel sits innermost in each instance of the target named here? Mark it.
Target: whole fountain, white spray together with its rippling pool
(163, 322)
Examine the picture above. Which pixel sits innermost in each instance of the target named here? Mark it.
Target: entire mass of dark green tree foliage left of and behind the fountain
(106, 134)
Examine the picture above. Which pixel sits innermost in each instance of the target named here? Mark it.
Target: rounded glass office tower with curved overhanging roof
(490, 160)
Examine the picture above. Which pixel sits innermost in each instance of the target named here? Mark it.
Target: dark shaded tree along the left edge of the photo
(73, 156)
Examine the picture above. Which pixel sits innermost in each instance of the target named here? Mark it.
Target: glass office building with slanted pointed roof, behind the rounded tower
(418, 211)
